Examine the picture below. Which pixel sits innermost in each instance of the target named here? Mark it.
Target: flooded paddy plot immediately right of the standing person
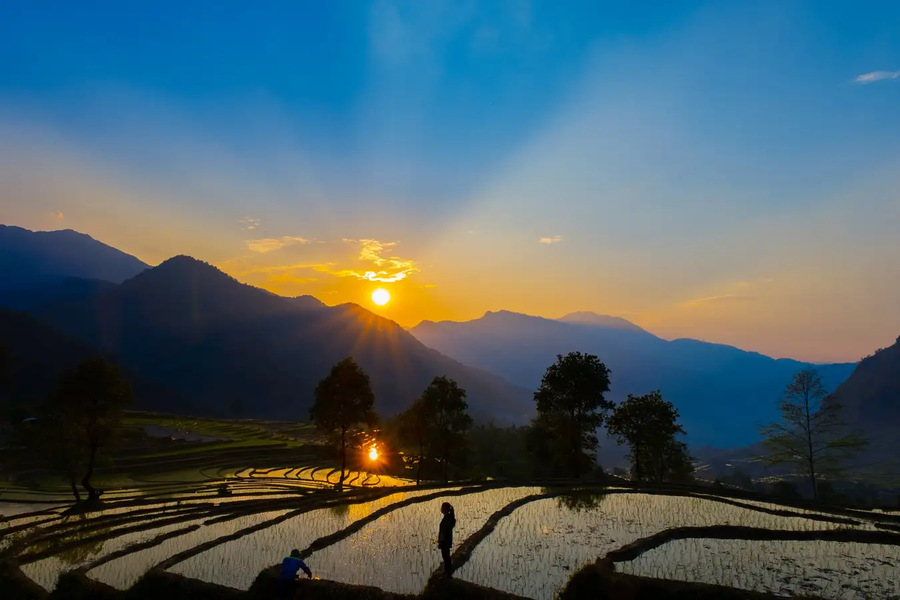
(563, 538)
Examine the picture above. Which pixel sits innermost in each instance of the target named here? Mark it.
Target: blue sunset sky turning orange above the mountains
(728, 171)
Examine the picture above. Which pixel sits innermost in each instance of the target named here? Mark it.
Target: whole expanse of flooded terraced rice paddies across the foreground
(385, 537)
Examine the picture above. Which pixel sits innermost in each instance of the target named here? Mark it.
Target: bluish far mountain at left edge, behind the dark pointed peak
(37, 258)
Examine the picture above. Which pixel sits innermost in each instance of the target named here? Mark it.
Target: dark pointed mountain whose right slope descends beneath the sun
(235, 350)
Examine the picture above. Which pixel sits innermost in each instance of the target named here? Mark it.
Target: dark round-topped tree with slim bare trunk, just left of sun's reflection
(344, 401)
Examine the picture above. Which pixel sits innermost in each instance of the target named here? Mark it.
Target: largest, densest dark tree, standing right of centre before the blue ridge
(571, 406)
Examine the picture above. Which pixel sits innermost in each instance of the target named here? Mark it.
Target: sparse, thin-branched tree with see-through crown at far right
(811, 435)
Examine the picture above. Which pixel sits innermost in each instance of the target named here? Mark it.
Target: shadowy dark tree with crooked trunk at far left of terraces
(86, 410)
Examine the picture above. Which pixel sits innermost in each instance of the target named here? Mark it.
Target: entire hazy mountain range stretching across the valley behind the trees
(197, 341)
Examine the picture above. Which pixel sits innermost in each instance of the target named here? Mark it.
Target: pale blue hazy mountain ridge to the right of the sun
(722, 392)
